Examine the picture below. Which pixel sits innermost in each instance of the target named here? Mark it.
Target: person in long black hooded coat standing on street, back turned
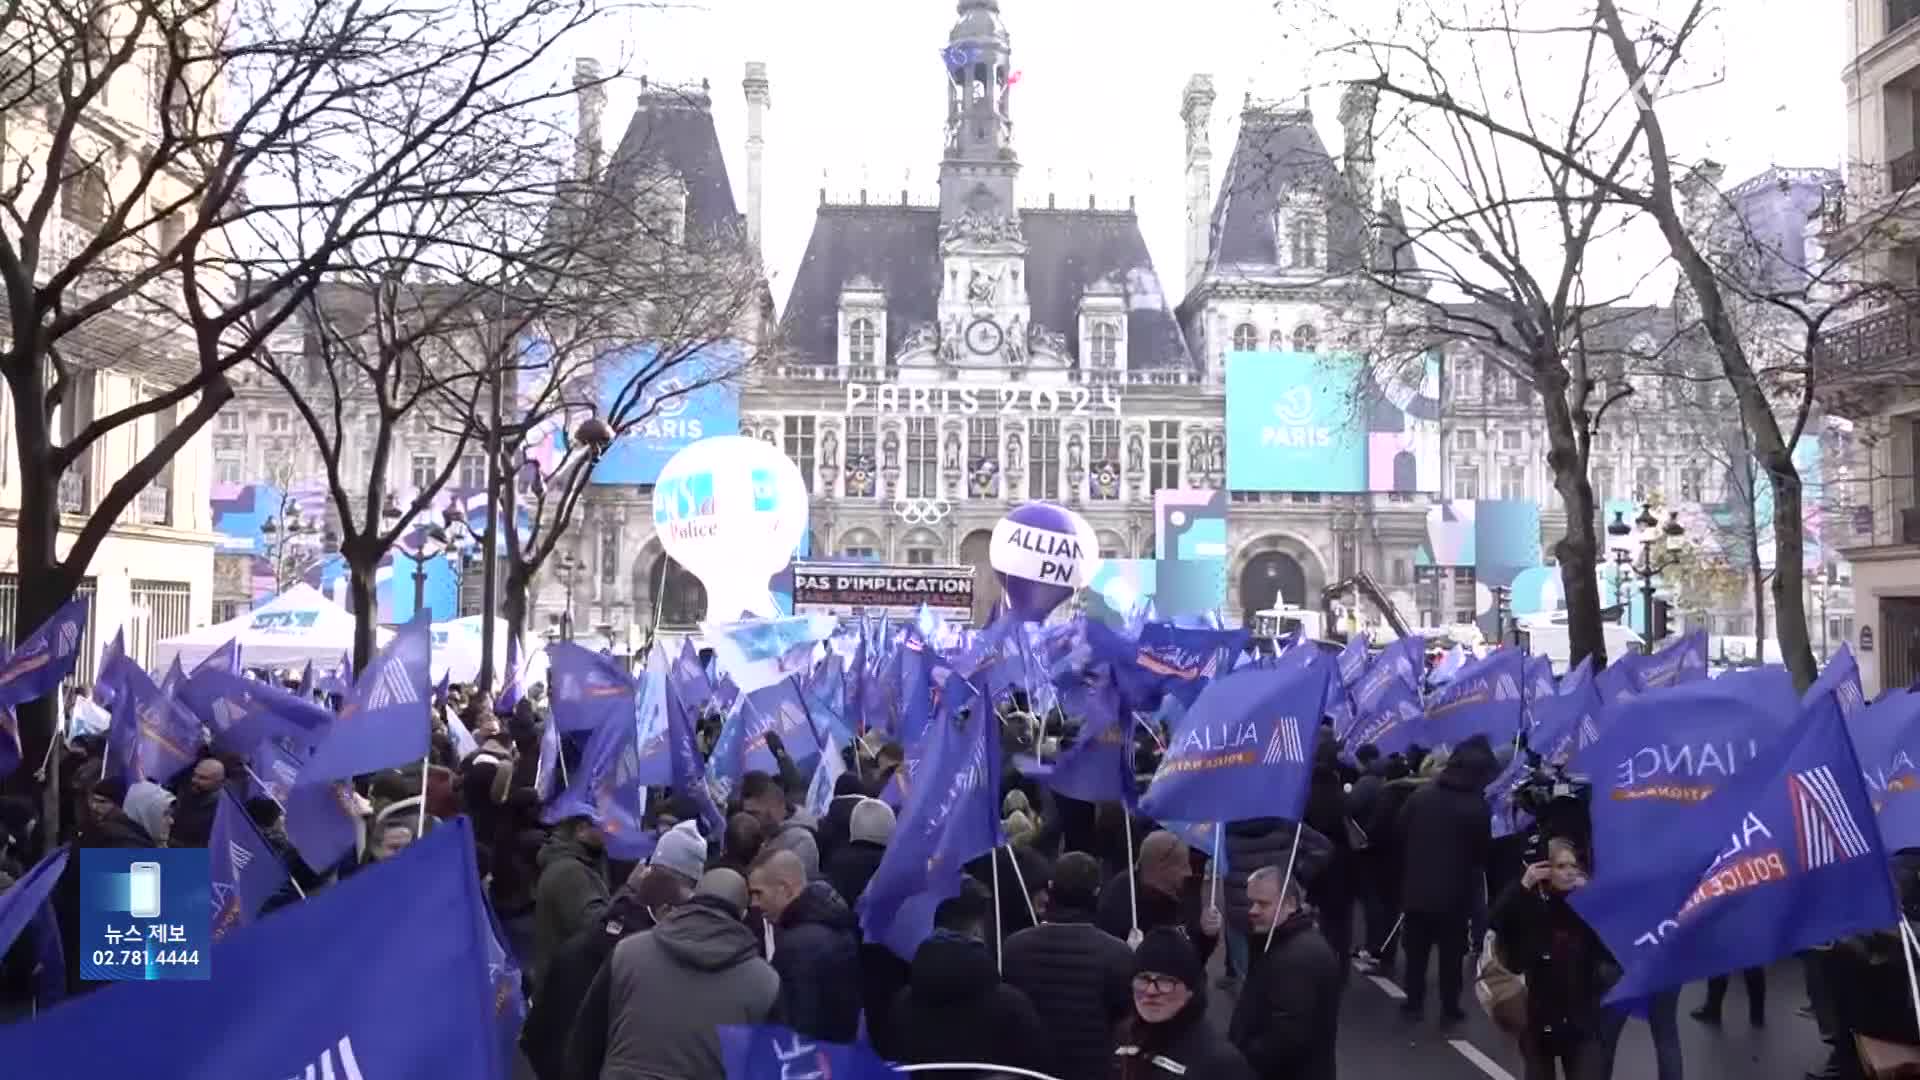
(1447, 831)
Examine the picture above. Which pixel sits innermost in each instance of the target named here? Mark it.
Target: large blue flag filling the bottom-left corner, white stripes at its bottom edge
(414, 921)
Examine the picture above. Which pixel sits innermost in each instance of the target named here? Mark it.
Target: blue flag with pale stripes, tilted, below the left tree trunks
(385, 722)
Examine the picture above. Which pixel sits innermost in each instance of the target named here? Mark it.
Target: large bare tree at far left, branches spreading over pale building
(183, 176)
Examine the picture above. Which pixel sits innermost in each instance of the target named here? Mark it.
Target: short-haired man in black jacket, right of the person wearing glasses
(1289, 1016)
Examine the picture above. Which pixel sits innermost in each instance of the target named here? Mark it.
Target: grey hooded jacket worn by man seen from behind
(658, 1002)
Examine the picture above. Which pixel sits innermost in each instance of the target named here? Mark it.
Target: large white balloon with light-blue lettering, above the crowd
(731, 510)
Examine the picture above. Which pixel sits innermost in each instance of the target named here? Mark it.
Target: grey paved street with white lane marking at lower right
(1378, 1044)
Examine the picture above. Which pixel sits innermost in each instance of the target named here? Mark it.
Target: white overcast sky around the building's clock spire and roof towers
(859, 97)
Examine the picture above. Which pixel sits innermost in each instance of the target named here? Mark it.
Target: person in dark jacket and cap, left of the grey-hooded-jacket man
(648, 896)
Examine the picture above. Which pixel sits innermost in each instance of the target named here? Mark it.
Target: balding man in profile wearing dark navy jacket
(817, 948)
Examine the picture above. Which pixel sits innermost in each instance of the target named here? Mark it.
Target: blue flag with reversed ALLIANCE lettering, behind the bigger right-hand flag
(1664, 754)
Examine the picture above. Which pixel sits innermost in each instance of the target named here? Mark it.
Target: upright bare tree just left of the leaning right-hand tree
(1491, 251)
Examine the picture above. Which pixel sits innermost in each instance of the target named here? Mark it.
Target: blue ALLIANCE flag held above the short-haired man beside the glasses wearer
(1245, 749)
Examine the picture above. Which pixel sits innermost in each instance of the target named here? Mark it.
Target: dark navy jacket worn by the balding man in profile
(817, 952)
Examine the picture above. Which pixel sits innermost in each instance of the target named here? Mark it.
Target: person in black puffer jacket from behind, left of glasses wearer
(1078, 977)
